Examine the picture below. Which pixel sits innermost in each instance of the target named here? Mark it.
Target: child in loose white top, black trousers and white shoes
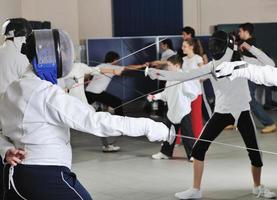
(178, 98)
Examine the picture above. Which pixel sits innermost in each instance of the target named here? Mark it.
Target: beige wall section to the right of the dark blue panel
(212, 12)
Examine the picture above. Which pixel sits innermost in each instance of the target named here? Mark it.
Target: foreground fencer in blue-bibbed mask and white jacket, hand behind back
(36, 117)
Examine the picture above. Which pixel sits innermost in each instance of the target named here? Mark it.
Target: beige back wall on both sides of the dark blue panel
(96, 15)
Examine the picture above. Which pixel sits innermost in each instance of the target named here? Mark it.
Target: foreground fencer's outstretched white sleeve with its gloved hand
(64, 110)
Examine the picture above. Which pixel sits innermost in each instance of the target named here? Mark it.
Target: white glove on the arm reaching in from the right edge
(226, 69)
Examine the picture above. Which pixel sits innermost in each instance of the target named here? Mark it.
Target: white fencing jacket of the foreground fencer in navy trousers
(37, 116)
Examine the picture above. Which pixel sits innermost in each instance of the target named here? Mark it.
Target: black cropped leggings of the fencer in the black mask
(215, 126)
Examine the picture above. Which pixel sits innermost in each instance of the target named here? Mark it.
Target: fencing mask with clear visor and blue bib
(51, 53)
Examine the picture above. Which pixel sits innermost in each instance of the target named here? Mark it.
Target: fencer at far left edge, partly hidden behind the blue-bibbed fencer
(13, 64)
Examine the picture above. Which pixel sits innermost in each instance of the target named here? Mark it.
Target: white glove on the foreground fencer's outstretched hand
(158, 131)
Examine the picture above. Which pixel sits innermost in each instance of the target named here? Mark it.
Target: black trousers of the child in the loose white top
(186, 130)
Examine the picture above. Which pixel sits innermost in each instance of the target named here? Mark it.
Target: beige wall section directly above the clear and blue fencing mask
(63, 14)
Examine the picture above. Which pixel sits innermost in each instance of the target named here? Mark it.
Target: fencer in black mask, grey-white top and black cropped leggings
(231, 107)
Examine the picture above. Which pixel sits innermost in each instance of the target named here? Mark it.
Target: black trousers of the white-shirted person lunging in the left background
(107, 99)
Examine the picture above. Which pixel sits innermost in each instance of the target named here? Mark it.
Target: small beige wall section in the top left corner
(9, 9)
